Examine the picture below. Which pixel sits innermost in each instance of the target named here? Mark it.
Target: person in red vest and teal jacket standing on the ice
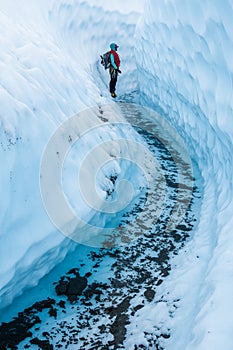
(114, 68)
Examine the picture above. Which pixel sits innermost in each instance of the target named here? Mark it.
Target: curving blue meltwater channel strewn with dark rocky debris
(99, 288)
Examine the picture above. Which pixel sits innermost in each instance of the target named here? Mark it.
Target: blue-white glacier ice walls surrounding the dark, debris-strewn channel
(180, 58)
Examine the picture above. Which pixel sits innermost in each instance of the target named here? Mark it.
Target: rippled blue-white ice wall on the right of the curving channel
(185, 62)
